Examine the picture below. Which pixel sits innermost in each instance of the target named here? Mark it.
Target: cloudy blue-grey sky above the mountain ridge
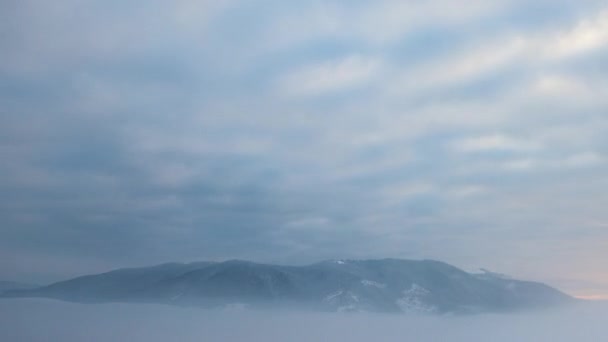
(291, 132)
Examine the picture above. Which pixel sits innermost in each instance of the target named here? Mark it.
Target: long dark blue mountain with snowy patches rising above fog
(387, 285)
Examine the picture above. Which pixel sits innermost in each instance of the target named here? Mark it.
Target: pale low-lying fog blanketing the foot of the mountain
(23, 320)
